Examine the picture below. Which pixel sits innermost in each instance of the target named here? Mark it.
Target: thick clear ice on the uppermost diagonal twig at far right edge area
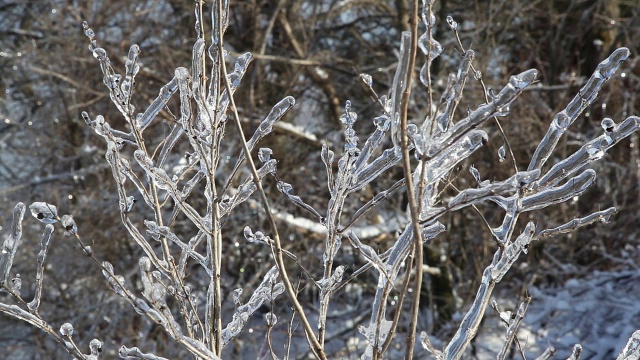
(581, 101)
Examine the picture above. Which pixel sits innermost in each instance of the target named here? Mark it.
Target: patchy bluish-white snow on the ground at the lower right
(600, 312)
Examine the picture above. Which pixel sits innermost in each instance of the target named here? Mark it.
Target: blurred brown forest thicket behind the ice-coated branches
(314, 51)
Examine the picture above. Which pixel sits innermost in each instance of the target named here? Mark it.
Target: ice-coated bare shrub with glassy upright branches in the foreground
(185, 199)
